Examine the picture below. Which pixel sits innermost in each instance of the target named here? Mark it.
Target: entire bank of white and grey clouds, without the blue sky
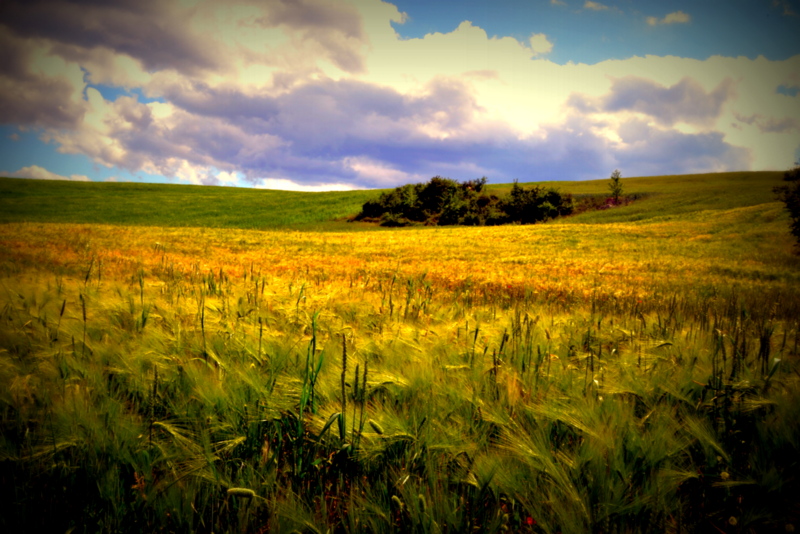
(320, 94)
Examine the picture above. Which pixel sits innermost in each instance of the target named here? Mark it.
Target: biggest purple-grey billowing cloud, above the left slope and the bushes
(354, 123)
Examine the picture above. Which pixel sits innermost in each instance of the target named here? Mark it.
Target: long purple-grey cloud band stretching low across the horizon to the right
(325, 130)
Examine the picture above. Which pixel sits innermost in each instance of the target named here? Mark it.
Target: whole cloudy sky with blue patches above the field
(317, 95)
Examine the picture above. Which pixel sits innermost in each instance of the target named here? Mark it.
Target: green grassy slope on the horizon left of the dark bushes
(170, 205)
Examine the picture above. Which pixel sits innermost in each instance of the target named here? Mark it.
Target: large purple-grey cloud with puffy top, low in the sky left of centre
(306, 135)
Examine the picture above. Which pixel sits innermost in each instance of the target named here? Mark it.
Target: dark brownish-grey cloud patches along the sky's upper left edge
(159, 34)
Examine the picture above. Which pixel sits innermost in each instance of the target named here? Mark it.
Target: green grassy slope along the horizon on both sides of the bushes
(228, 207)
